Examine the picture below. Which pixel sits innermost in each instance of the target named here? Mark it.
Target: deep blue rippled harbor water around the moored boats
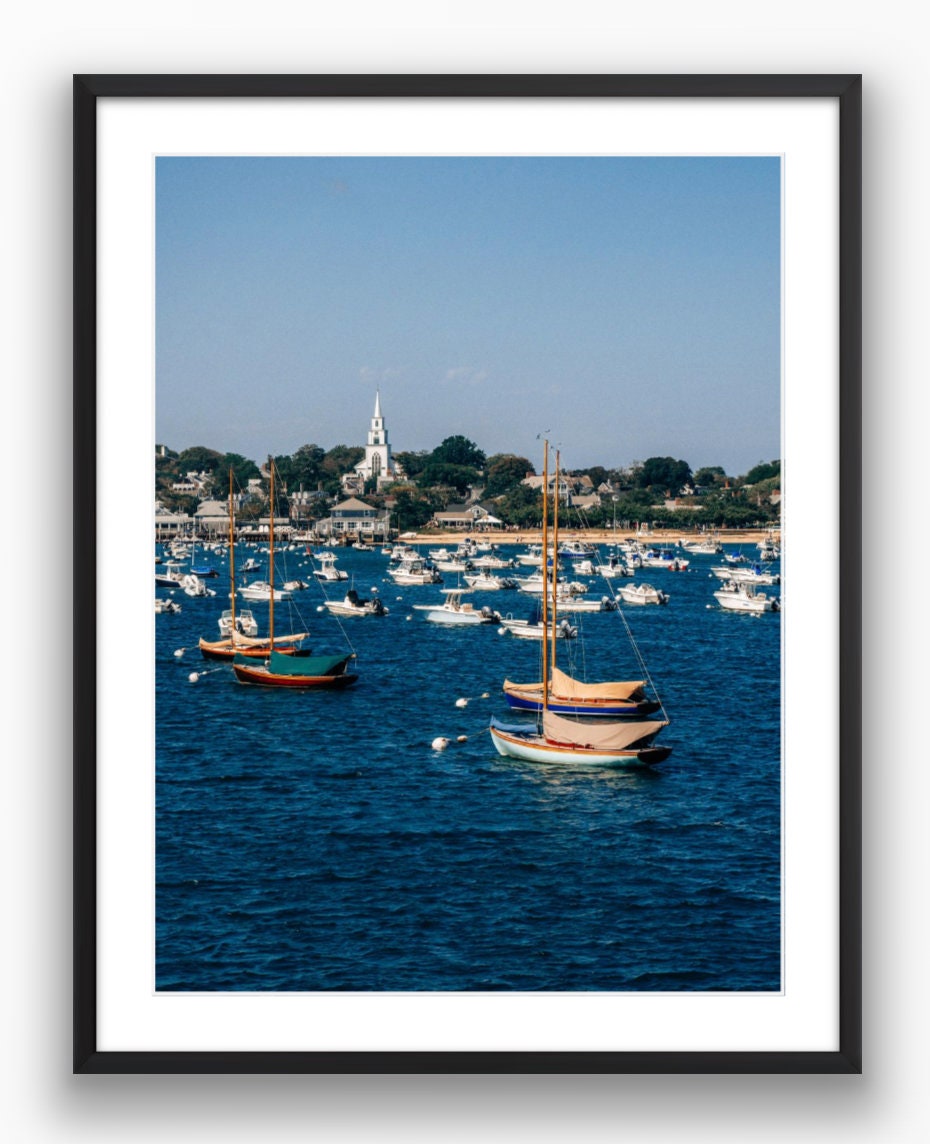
(311, 841)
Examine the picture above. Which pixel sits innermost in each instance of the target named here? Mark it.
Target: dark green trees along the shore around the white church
(433, 480)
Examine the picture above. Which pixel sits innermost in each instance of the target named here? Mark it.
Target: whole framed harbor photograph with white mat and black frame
(423, 390)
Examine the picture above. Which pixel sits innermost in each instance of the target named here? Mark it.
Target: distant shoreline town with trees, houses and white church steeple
(368, 491)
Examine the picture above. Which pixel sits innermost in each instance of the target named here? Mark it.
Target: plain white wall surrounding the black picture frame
(42, 46)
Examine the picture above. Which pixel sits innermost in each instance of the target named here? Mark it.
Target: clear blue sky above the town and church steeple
(629, 306)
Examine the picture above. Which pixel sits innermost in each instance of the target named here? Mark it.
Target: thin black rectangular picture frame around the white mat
(844, 89)
